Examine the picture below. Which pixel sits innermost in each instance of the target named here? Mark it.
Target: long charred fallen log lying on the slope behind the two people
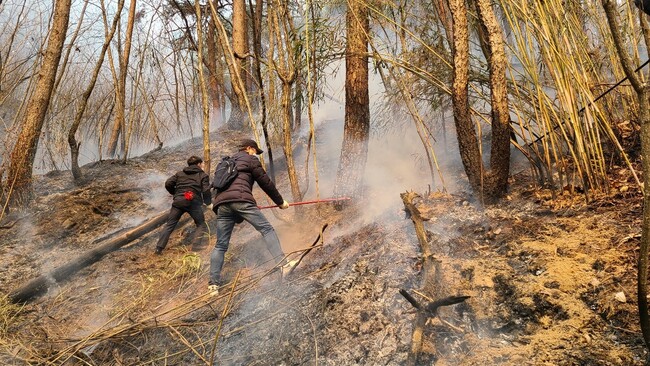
(39, 285)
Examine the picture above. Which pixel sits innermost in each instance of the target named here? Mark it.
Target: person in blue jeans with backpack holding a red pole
(236, 203)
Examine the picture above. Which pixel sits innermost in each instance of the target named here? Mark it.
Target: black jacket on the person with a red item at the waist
(191, 178)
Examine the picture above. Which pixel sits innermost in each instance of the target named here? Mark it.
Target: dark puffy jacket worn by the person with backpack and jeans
(241, 190)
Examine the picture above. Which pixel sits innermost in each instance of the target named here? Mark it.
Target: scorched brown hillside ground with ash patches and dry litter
(552, 279)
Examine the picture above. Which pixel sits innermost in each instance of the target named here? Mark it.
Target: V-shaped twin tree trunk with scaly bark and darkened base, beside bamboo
(488, 184)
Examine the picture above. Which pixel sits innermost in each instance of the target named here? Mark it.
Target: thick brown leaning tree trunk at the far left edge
(19, 182)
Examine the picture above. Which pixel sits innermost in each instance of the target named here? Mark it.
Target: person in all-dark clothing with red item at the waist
(190, 189)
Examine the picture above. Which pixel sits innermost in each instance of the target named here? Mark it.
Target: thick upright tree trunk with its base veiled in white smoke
(354, 150)
